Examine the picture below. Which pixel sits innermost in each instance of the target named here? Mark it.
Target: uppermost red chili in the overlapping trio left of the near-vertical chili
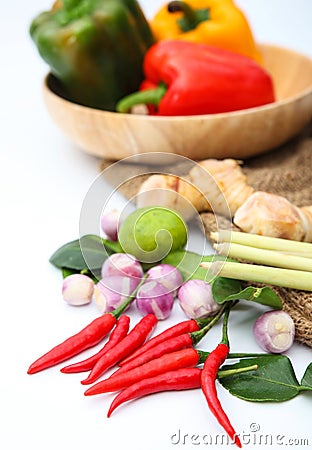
(187, 326)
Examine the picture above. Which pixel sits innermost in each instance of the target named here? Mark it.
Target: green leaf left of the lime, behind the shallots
(95, 251)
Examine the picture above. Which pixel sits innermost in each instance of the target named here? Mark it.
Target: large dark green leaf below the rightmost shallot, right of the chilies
(273, 381)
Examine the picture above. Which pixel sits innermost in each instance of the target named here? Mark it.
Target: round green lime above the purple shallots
(151, 233)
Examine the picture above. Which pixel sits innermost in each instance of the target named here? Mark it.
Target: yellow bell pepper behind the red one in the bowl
(215, 22)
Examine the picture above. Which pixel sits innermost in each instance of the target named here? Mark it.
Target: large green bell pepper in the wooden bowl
(94, 48)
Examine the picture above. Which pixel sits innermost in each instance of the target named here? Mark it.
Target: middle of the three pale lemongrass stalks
(266, 257)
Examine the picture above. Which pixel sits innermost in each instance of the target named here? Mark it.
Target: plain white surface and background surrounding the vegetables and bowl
(44, 179)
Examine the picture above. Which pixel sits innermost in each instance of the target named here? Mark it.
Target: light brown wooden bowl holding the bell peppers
(239, 134)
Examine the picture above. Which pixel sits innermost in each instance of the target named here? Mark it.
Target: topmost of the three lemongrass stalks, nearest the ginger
(264, 242)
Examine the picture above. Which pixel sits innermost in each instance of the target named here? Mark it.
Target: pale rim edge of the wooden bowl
(199, 117)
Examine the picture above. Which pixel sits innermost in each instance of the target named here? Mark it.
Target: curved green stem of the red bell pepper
(145, 97)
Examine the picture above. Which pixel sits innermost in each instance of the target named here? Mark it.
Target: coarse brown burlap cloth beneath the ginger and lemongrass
(286, 171)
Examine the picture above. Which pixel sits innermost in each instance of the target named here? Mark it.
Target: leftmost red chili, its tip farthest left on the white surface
(89, 336)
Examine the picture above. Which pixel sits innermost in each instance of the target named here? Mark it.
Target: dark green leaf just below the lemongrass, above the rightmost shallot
(221, 290)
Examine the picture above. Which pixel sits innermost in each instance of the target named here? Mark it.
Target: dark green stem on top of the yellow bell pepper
(191, 17)
